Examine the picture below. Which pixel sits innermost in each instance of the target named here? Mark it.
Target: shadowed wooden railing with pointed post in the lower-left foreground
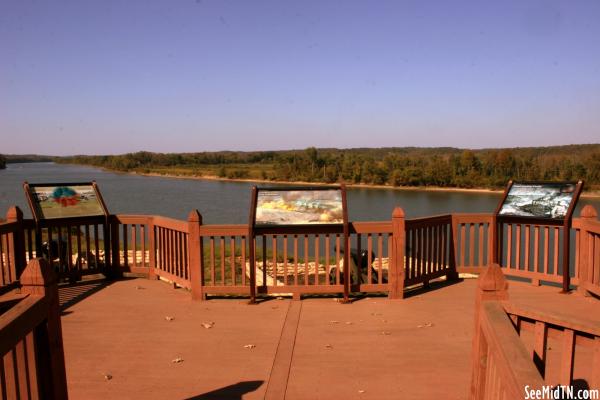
(31, 338)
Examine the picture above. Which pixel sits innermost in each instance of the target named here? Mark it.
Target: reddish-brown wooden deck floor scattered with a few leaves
(374, 348)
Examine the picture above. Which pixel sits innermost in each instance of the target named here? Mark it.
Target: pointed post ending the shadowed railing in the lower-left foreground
(38, 279)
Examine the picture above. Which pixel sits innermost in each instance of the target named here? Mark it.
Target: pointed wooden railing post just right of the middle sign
(396, 273)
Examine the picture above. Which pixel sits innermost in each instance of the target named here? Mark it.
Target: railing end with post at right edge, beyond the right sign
(587, 252)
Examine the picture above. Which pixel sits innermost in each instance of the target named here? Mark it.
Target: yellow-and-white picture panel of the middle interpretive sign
(299, 207)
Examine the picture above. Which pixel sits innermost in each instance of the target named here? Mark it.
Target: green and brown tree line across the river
(442, 167)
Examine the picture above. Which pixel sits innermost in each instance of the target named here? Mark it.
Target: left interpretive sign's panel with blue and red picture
(63, 200)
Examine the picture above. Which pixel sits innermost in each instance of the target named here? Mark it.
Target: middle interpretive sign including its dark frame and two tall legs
(279, 211)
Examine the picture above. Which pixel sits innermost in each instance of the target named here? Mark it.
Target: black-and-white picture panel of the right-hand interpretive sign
(539, 200)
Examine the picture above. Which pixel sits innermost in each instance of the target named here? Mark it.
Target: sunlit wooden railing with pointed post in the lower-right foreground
(511, 343)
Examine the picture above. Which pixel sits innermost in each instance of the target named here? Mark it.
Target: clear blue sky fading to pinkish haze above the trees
(109, 77)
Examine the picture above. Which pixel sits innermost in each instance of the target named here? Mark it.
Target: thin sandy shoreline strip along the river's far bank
(593, 194)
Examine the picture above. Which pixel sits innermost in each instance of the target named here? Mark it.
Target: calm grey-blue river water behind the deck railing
(226, 202)
